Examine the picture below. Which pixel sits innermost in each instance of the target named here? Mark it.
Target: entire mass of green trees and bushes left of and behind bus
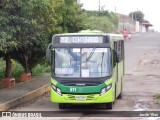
(27, 28)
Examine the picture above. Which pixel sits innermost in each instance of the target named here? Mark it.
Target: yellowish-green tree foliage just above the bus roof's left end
(69, 16)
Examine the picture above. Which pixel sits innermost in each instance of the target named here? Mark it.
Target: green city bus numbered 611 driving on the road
(86, 68)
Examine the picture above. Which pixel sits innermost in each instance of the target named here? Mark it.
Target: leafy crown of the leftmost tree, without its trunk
(7, 31)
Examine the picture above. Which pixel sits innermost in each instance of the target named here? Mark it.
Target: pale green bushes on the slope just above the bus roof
(104, 20)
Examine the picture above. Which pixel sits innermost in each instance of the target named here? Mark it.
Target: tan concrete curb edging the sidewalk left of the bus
(25, 98)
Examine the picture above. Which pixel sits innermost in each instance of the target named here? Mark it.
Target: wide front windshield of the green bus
(82, 62)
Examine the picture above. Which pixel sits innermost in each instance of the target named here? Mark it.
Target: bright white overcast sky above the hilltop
(150, 8)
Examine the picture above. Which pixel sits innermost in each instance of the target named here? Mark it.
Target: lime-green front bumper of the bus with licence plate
(82, 99)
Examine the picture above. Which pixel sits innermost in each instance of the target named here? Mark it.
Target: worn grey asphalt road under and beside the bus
(142, 82)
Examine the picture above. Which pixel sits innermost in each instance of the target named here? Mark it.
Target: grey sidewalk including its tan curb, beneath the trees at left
(24, 92)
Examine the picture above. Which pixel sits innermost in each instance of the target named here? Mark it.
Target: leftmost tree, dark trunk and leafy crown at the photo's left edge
(7, 40)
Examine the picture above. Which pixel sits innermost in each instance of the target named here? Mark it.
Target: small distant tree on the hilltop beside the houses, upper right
(137, 15)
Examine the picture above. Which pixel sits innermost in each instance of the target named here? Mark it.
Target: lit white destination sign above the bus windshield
(81, 39)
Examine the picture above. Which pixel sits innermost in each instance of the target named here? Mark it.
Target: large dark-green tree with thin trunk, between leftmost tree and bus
(35, 29)
